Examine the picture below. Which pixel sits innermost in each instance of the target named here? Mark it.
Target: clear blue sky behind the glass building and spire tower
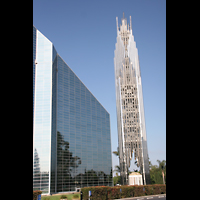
(84, 35)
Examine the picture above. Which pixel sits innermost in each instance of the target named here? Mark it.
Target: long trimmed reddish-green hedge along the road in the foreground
(117, 192)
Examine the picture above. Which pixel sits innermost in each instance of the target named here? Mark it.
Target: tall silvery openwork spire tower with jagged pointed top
(129, 102)
